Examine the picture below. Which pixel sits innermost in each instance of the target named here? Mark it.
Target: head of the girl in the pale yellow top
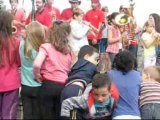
(149, 27)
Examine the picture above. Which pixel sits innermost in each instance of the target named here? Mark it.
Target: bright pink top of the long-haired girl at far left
(9, 73)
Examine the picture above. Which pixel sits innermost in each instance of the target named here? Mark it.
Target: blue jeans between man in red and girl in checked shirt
(103, 45)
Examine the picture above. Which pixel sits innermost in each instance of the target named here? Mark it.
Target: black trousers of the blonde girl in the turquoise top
(30, 102)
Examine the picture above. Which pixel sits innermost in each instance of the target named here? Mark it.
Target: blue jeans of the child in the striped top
(150, 111)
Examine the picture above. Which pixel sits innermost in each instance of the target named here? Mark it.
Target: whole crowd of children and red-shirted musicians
(83, 66)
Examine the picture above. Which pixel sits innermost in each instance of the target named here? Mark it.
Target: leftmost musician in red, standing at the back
(18, 17)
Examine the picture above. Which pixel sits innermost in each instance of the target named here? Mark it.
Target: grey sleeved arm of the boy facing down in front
(71, 103)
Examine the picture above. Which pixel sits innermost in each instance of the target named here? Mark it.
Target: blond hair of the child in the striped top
(154, 72)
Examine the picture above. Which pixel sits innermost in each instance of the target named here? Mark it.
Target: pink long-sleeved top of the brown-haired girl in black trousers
(51, 64)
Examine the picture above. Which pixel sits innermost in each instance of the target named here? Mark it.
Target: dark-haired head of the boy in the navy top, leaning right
(89, 53)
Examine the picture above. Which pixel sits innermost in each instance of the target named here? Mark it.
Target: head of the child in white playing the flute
(78, 14)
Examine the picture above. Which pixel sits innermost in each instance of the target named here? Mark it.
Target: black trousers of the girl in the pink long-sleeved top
(50, 99)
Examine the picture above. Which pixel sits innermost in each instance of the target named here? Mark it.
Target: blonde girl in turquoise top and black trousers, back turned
(28, 50)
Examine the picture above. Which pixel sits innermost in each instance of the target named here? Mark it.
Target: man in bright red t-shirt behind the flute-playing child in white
(96, 17)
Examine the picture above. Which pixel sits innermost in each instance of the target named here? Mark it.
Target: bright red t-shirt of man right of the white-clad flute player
(95, 17)
